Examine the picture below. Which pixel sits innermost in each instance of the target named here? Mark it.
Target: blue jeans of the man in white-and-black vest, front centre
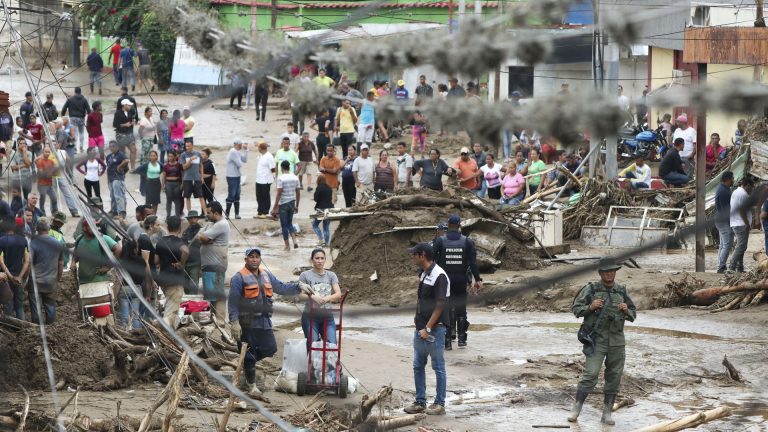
(421, 350)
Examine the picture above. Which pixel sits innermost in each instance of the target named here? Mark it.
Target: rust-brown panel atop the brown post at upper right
(726, 45)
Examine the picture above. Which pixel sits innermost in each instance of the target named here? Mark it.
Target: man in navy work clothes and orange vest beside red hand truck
(250, 312)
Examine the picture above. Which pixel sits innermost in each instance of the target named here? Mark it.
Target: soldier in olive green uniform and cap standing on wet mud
(605, 305)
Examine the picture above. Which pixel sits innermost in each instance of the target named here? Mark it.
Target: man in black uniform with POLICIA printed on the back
(456, 254)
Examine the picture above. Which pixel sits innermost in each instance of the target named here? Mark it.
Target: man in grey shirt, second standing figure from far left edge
(47, 257)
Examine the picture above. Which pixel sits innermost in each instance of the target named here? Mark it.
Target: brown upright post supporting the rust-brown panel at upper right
(701, 177)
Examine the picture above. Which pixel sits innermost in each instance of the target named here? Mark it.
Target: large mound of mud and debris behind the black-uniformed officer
(370, 242)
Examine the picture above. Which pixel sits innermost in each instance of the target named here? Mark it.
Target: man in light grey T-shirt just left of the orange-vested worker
(214, 240)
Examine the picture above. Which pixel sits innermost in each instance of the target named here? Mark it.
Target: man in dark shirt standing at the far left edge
(14, 263)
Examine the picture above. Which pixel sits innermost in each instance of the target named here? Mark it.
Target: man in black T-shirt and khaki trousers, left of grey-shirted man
(172, 254)
